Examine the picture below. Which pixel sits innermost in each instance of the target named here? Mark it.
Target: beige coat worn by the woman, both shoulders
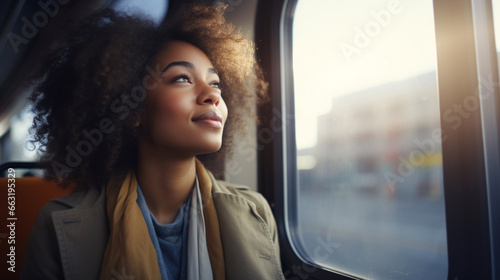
(69, 237)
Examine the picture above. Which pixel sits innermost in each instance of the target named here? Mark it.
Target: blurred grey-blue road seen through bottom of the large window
(372, 236)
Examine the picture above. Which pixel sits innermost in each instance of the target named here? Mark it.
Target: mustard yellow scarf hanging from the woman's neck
(130, 251)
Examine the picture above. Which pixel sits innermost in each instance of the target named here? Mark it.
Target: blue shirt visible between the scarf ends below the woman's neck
(170, 240)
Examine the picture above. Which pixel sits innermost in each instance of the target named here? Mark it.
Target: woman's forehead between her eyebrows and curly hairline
(183, 51)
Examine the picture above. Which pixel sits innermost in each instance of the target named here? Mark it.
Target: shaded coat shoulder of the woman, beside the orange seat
(54, 236)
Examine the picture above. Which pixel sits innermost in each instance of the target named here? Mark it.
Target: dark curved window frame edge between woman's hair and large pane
(271, 36)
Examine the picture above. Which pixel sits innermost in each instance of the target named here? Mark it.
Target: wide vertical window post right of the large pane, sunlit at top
(464, 165)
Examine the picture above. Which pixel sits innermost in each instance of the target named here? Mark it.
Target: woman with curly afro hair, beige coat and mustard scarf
(123, 112)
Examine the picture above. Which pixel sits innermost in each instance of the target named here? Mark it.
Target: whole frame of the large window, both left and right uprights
(472, 196)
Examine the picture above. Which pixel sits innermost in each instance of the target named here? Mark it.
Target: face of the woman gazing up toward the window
(185, 113)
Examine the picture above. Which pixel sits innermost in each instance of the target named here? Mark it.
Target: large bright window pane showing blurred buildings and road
(368, 196)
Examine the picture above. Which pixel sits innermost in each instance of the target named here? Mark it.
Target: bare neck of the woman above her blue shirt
(166, 182)
